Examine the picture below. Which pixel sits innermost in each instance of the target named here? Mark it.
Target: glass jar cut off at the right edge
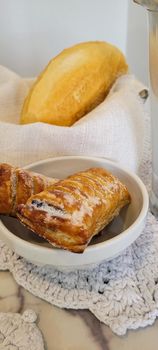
(152, 10)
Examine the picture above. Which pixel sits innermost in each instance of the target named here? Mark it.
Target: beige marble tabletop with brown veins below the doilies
(70, 329)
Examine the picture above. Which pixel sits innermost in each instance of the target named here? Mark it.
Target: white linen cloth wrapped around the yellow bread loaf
(114, 129)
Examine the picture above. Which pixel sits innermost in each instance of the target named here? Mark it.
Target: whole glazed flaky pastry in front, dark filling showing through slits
(75, 209)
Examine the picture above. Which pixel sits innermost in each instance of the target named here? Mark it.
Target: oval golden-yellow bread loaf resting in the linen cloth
(73, 83)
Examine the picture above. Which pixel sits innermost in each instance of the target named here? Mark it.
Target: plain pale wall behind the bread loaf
(33, 31)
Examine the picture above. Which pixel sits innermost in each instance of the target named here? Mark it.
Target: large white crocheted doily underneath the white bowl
(122, 293)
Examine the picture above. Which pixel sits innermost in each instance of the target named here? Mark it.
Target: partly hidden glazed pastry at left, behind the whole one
(17, 185)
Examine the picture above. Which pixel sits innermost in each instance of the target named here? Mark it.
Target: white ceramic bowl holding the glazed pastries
(118, 235)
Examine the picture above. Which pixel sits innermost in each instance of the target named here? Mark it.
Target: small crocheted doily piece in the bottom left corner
(20, 332)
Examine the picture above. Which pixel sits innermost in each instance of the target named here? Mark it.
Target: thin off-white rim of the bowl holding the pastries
(96, 246)
